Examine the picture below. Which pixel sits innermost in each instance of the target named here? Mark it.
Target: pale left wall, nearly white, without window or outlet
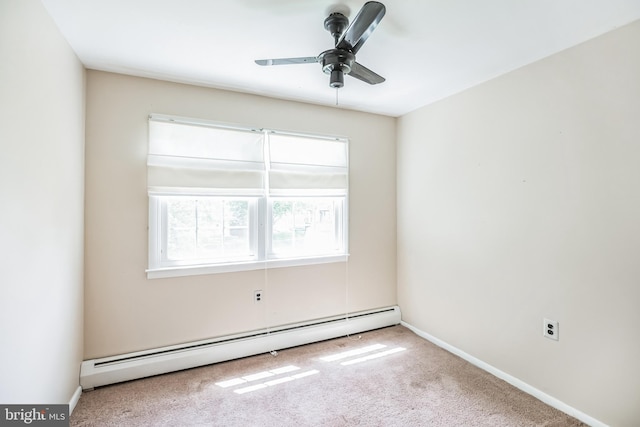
(41, 208)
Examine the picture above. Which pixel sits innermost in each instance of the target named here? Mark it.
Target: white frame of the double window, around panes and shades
(260, 229)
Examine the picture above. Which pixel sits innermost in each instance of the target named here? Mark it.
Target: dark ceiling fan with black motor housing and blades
(349, 39)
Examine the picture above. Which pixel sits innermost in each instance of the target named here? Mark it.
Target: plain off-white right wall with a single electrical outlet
(520, 199)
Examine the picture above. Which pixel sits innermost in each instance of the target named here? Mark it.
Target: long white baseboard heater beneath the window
(125, 367)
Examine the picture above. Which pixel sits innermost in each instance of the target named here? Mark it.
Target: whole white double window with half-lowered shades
(227, 199)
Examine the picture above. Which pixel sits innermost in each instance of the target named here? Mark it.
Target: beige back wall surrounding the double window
(126, 312)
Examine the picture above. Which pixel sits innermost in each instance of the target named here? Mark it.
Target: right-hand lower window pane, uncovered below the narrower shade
(305, 226)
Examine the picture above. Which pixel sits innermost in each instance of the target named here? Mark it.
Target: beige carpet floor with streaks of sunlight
(398, 379)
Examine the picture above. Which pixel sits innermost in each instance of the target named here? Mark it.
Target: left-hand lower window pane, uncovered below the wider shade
(207, 228)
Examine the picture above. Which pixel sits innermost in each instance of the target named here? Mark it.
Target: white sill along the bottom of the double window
(160, 273)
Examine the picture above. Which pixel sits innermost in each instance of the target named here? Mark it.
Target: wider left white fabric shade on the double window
(185, 156)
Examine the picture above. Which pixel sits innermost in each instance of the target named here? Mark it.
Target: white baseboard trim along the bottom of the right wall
(540, 395)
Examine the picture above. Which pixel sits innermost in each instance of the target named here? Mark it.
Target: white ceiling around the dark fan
(426, 49)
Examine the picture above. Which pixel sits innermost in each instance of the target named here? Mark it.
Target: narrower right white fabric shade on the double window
(300, 162)
